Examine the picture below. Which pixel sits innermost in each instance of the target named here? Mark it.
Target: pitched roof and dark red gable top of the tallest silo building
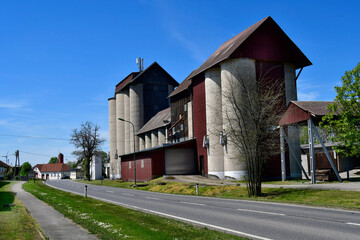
(227, 49)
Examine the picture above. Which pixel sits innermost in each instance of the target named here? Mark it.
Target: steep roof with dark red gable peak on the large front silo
(230, 48)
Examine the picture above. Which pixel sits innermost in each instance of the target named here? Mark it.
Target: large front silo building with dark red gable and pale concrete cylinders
(261, 48)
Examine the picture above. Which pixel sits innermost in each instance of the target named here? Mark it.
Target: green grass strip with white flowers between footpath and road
(109, 221)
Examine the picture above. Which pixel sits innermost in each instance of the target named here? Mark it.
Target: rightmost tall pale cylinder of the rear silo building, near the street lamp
(136, 113)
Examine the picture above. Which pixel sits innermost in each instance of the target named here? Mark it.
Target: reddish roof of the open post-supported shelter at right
(299, 111)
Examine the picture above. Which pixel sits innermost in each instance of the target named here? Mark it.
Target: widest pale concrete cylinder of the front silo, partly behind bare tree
(231, 72)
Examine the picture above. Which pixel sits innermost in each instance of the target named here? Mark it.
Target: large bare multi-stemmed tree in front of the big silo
(250, 111)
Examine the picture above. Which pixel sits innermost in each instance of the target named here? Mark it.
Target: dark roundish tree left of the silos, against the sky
(87, 141)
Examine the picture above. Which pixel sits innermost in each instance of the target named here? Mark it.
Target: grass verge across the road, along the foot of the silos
(313, 197)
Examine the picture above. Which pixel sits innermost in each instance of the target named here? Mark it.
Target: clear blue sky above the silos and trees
(60, 60)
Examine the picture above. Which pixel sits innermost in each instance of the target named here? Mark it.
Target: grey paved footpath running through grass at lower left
(54, 225)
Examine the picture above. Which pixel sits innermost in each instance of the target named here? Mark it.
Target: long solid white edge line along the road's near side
(174, 217)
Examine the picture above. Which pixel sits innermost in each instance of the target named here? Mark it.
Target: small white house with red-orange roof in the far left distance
(51, 171)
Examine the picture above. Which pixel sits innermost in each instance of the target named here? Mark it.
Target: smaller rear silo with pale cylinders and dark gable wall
(138, 97)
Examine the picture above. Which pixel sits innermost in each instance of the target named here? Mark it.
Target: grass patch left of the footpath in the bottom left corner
(15, 221)
